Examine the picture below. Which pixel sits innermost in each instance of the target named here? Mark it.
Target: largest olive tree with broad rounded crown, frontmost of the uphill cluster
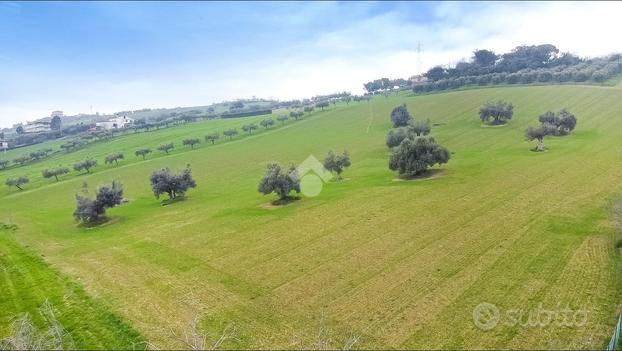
(414, 157)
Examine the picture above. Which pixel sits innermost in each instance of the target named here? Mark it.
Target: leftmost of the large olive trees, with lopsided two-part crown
(94, 210)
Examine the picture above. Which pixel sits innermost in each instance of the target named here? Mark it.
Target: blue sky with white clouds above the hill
(82, 57)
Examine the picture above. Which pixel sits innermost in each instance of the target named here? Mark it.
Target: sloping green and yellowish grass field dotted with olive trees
(391, 264)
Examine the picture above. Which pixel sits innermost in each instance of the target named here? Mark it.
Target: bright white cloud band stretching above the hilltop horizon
(343, 59)
